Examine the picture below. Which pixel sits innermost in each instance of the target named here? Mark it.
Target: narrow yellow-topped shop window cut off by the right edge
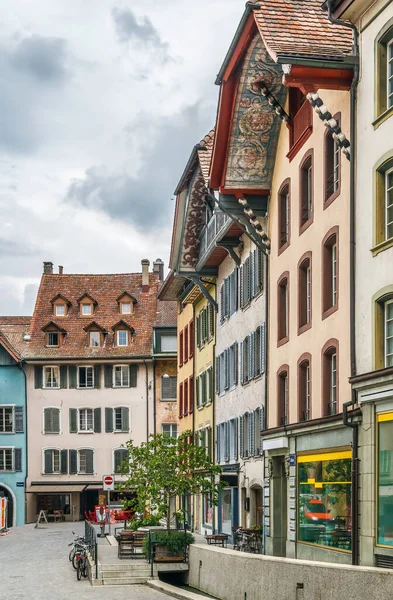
(385, 479)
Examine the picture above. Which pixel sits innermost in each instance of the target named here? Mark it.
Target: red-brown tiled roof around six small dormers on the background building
(105, 289)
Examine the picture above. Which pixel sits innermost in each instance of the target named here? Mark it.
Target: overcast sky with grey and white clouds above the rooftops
(101, 103)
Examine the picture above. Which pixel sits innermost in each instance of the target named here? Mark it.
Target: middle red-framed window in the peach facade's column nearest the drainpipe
(330, 272)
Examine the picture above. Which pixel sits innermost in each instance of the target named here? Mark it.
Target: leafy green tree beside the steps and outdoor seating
(165, 468)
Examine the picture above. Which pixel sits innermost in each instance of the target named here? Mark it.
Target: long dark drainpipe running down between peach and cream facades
(346, 419)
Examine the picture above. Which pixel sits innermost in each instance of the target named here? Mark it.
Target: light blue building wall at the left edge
(12, 393)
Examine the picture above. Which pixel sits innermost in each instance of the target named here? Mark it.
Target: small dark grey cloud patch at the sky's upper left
(43, 57)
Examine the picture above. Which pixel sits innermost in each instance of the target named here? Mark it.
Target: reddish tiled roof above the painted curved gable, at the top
(301, 28)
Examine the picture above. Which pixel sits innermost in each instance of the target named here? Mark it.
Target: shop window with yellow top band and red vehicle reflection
(324, 500)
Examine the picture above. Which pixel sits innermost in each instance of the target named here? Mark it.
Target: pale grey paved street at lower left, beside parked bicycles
(34, 565)
